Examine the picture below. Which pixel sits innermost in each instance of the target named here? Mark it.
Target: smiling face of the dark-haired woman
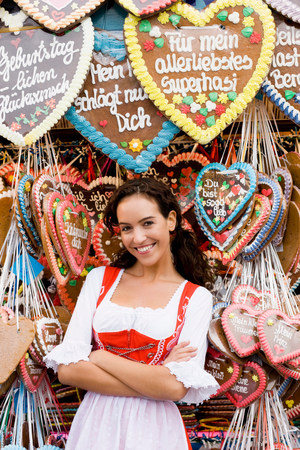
(145, 232)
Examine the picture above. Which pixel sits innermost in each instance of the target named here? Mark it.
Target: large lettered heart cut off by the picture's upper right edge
(282, 84)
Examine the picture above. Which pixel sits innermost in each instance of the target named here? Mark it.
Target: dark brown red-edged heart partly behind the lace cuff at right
(225, 371)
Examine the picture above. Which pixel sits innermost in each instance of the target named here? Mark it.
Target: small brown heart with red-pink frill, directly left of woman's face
(106, 245)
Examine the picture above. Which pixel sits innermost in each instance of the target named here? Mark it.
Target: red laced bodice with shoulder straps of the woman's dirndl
(134, 345)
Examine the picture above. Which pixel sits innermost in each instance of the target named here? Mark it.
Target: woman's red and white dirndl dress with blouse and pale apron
(146, 335)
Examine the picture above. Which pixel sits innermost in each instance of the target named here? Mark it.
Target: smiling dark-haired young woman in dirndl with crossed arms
(137, 338)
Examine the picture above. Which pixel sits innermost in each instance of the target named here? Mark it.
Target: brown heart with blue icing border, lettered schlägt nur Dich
(135, 132)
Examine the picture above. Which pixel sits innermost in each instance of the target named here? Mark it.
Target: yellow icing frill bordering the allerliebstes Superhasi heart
(201, 19)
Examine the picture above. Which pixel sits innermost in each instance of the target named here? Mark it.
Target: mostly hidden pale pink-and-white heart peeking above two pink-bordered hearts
(248, 295)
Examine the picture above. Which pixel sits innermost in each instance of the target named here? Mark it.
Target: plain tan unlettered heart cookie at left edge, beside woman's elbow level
(15, 338)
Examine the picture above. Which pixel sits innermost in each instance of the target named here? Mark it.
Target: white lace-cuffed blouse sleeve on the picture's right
(191, 373)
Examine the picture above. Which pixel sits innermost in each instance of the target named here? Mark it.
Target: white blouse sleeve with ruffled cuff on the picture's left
(77, 343)
